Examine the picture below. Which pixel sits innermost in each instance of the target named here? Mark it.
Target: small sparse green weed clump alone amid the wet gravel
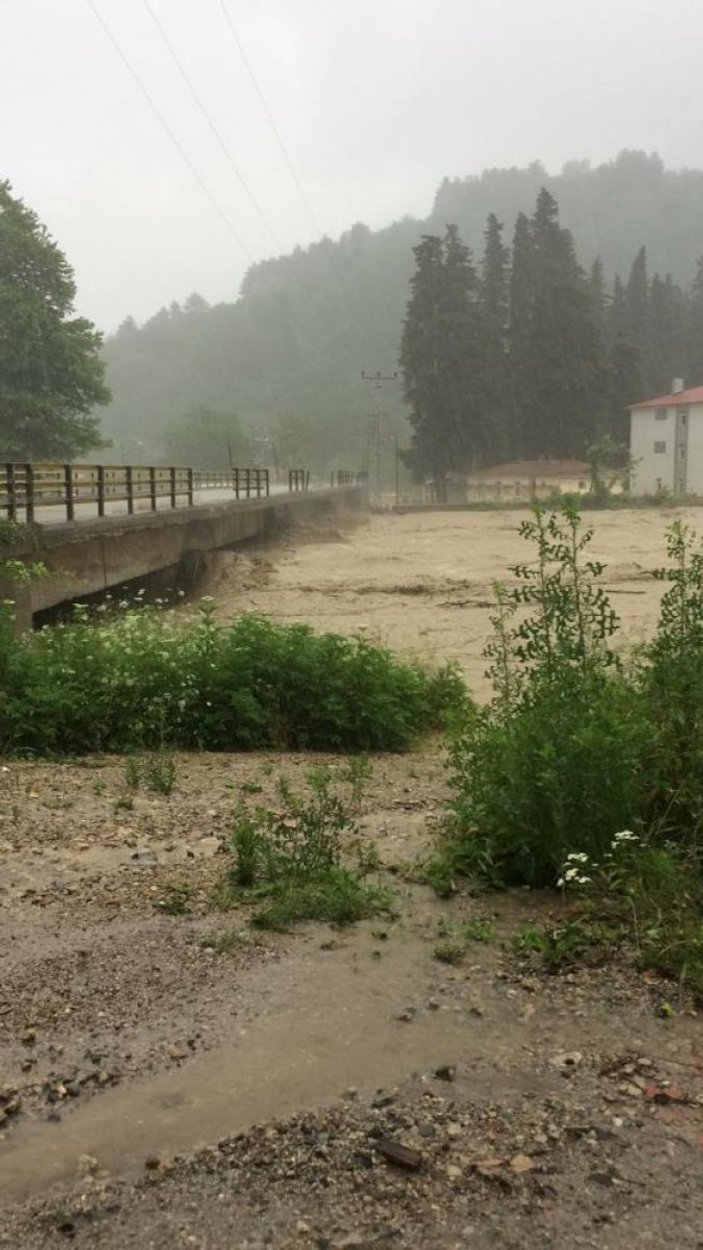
(305, 861)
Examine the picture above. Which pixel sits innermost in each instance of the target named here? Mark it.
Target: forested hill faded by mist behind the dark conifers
(288, 354)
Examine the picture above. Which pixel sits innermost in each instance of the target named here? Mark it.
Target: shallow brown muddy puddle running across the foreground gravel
(328, 1021)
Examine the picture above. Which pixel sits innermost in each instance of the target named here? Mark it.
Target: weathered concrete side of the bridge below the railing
(87, 557)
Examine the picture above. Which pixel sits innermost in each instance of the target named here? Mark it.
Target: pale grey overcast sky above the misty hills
(375, 102)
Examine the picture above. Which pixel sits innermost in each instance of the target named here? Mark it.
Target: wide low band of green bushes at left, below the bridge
(151, 681)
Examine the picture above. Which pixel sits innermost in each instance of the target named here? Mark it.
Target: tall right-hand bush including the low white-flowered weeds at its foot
(586, 772)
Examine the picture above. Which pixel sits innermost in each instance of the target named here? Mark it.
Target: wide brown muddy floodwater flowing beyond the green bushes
(423, 583)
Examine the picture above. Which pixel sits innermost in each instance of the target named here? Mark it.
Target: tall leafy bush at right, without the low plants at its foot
(576, 744)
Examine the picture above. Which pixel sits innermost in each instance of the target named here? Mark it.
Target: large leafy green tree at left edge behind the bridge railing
(52, 376)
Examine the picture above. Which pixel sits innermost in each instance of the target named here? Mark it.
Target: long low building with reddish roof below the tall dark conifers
(529, 481)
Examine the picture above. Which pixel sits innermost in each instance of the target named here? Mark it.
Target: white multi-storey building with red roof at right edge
(666, 443)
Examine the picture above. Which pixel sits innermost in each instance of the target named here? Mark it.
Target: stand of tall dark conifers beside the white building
(527, 356)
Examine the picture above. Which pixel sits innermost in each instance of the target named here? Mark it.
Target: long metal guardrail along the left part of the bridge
(28, 488)
